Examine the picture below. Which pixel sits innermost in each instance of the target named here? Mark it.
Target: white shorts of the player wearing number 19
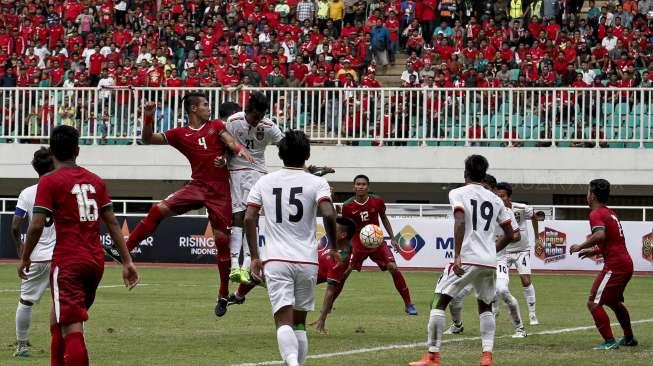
(481, 278)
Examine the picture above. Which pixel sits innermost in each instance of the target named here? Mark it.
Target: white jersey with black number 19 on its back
(484, 212)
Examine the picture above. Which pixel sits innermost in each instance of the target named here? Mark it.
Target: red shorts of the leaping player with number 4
(216, 197)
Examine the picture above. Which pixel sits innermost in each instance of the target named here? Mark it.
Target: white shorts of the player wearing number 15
(291, 284)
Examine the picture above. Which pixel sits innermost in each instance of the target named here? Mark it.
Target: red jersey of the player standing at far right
(613, 249)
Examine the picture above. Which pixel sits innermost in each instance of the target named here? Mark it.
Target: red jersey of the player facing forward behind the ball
(363, 214)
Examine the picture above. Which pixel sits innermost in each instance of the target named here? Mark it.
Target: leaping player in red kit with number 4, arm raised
(203, 142)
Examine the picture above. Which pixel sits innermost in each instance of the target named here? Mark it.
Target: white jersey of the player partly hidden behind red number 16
(44, 248)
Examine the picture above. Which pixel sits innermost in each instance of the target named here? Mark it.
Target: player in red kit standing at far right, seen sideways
(607, 239)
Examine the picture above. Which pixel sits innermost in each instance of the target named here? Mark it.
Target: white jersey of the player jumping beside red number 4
(255, 139)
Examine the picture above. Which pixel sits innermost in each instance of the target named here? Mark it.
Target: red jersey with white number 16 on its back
(74, 197)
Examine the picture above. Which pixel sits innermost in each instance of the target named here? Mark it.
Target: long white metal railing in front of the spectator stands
(593, 117)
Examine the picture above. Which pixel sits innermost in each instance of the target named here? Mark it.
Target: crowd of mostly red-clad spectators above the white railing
(301, 43)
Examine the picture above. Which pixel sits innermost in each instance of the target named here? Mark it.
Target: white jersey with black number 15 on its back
(290, 198)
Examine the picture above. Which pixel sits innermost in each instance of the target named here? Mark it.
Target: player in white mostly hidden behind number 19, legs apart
(502, 293)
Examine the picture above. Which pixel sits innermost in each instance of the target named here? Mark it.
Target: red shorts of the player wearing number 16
(73, 287)
